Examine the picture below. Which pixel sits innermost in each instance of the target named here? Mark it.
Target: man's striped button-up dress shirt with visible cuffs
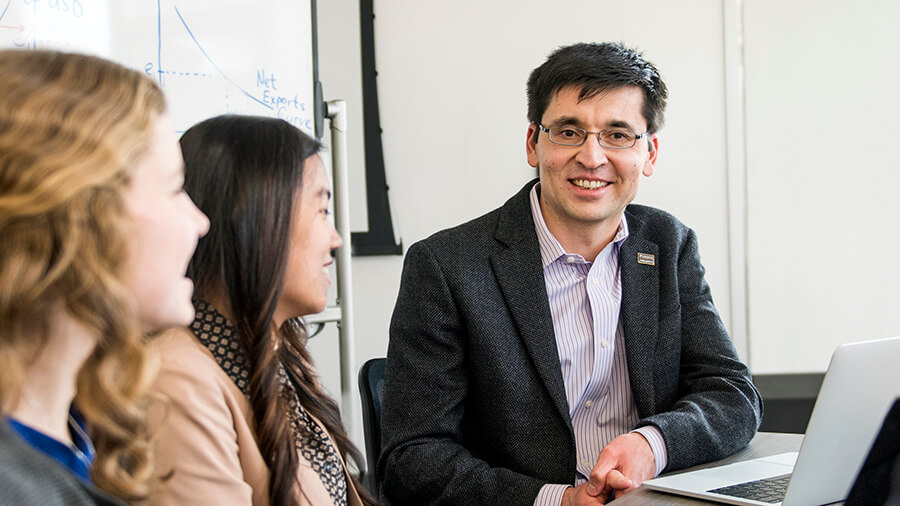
(585, 298)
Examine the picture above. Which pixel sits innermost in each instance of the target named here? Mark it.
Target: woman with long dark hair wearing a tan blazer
(249, 422)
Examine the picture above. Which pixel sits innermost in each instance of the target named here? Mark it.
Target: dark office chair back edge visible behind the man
(371, 386)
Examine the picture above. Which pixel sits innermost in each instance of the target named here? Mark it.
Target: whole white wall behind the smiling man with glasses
(801, 119)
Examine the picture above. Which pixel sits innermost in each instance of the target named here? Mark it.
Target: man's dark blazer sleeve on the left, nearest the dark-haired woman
(424, 458)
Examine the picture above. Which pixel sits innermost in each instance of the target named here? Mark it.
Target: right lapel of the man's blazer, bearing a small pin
(640, 313)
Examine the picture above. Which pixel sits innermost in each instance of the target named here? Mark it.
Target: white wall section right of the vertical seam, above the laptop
(823, 230)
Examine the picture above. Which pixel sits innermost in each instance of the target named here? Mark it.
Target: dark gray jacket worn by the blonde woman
(28, 477)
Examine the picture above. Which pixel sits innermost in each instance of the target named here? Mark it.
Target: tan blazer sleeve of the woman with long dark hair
(196, 443)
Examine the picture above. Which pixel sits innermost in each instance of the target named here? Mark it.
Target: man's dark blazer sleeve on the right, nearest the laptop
(715, 410)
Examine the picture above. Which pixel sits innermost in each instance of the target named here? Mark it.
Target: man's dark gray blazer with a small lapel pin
(475, 411)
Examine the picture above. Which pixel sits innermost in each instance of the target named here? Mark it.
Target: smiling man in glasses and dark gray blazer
(564, 347)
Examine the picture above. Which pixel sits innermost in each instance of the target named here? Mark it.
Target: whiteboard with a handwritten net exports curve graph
(228, 56)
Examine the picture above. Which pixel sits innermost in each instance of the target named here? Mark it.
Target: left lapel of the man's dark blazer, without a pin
(521, 278)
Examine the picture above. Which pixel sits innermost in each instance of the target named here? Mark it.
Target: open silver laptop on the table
(861, 384)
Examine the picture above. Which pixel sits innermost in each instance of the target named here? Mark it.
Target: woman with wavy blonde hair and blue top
(96, 236)
